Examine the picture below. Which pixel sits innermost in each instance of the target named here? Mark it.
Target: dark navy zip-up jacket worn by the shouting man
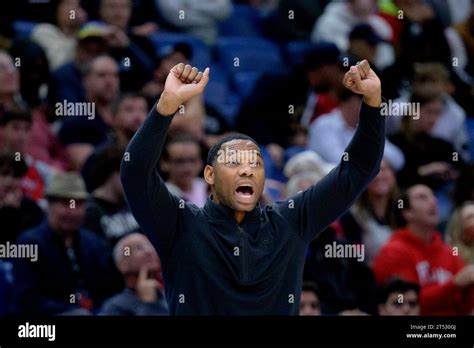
(211, 264)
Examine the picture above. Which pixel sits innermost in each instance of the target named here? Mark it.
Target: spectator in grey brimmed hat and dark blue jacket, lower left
(74, 272)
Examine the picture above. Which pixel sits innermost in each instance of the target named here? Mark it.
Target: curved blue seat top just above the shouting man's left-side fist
(201, 56)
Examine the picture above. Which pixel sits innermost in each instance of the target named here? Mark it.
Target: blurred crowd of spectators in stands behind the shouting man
(77, 79)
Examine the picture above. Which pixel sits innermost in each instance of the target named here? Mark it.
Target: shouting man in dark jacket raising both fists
(234, 257)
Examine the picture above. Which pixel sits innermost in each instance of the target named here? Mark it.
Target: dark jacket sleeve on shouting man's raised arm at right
(313, 210)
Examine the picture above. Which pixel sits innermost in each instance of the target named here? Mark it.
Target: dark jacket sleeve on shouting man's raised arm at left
(153, 206)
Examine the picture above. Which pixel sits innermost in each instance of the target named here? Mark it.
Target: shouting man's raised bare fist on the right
(361, 79)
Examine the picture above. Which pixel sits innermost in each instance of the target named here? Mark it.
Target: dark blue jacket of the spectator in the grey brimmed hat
(45, 286)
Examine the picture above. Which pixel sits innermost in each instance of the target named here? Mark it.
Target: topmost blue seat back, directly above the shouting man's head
(244, 21)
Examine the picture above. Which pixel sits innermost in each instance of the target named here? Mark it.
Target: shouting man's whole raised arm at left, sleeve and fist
(152, 205)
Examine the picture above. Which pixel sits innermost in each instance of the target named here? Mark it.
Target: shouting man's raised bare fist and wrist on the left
(183, 83)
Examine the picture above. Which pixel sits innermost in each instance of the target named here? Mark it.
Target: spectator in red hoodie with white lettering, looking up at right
(417, 253)
